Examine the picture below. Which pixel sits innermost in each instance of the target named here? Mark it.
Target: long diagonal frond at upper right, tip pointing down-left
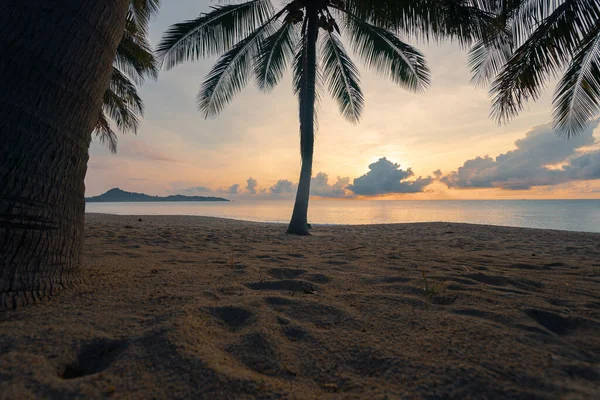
(544, 53)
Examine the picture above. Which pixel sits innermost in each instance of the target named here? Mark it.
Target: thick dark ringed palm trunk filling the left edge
(56, 61)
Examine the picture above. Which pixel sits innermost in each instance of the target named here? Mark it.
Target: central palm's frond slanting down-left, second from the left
(231, 72)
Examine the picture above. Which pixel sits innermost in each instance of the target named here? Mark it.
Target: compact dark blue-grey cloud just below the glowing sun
(387, 177)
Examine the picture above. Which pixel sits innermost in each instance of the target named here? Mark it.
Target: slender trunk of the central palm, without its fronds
(299, 222)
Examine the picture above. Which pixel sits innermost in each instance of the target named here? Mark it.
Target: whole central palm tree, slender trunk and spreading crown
(257, 39)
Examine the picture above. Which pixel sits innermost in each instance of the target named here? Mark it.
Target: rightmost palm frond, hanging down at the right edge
(577, 96)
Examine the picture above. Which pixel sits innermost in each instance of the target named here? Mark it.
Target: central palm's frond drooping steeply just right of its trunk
(342, 77)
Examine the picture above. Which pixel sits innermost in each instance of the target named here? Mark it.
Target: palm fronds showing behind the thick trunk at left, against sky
(134, 62)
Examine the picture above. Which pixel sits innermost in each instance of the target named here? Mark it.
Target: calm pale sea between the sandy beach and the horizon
(571, 215)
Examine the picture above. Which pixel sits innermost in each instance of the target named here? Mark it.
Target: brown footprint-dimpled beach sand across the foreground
(194, 307)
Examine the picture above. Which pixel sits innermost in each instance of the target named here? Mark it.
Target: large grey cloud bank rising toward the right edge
(532, 163)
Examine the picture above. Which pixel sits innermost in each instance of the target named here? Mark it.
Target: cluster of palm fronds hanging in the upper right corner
(533, 40)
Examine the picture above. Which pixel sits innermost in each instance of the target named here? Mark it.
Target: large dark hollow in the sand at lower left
(92, 358)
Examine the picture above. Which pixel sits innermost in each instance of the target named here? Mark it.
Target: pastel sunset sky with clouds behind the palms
(440, 144)
